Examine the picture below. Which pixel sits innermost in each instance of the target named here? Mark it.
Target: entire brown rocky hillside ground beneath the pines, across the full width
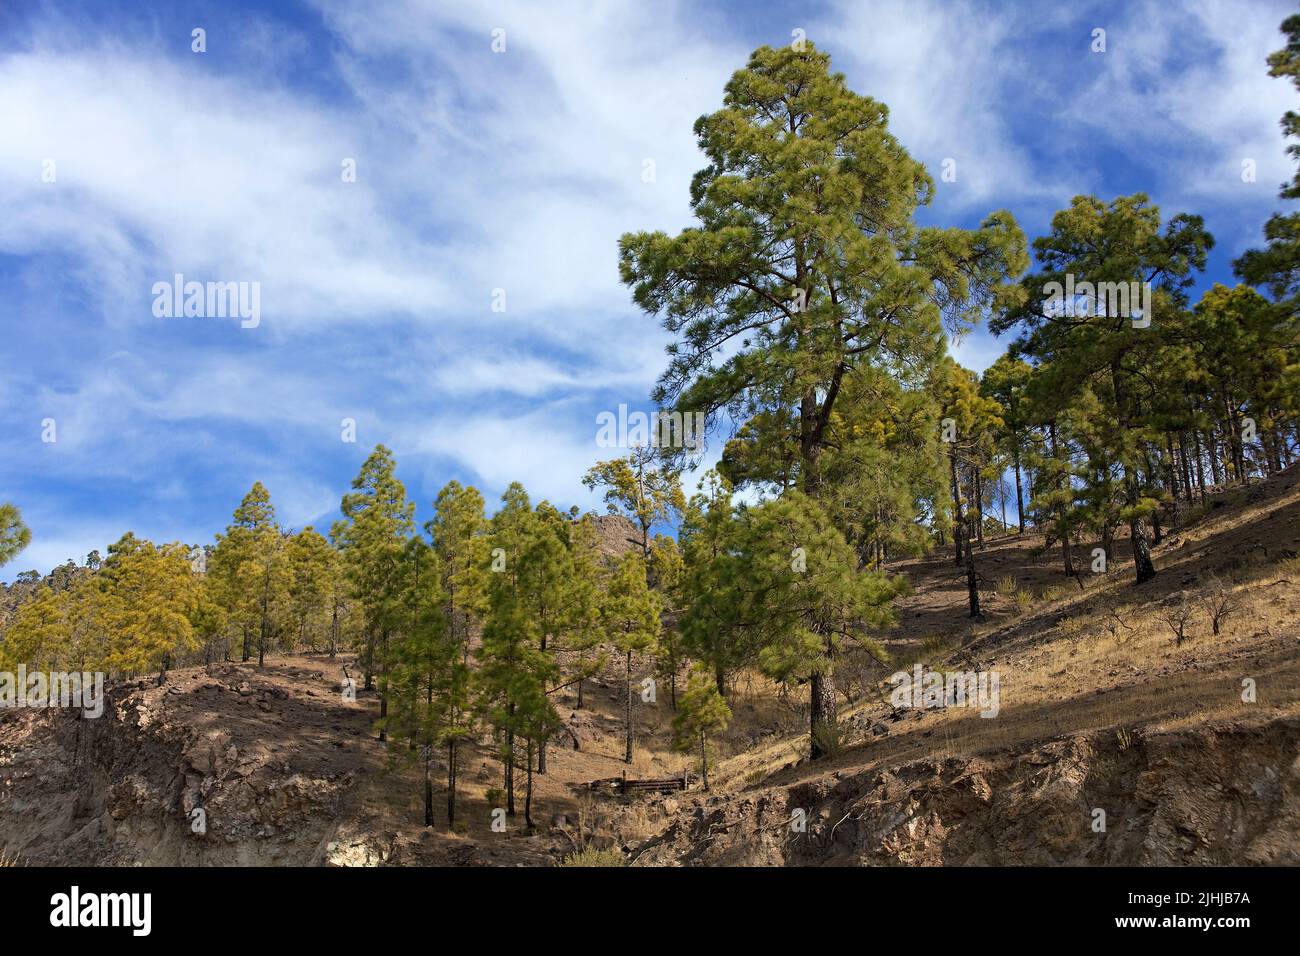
(1102, 711)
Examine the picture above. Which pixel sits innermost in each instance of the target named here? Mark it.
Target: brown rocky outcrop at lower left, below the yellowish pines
(144, 786)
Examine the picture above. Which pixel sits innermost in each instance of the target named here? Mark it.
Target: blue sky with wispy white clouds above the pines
(480, 171)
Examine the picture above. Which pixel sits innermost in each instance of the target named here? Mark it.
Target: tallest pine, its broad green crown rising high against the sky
(808, 266)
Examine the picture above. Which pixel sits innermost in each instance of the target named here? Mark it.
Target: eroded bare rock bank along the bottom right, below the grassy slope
(1219, 797)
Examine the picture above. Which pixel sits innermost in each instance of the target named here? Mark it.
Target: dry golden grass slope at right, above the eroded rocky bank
(1097, 659)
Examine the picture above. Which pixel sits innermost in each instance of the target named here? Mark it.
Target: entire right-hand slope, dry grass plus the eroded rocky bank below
(1100, 710)
